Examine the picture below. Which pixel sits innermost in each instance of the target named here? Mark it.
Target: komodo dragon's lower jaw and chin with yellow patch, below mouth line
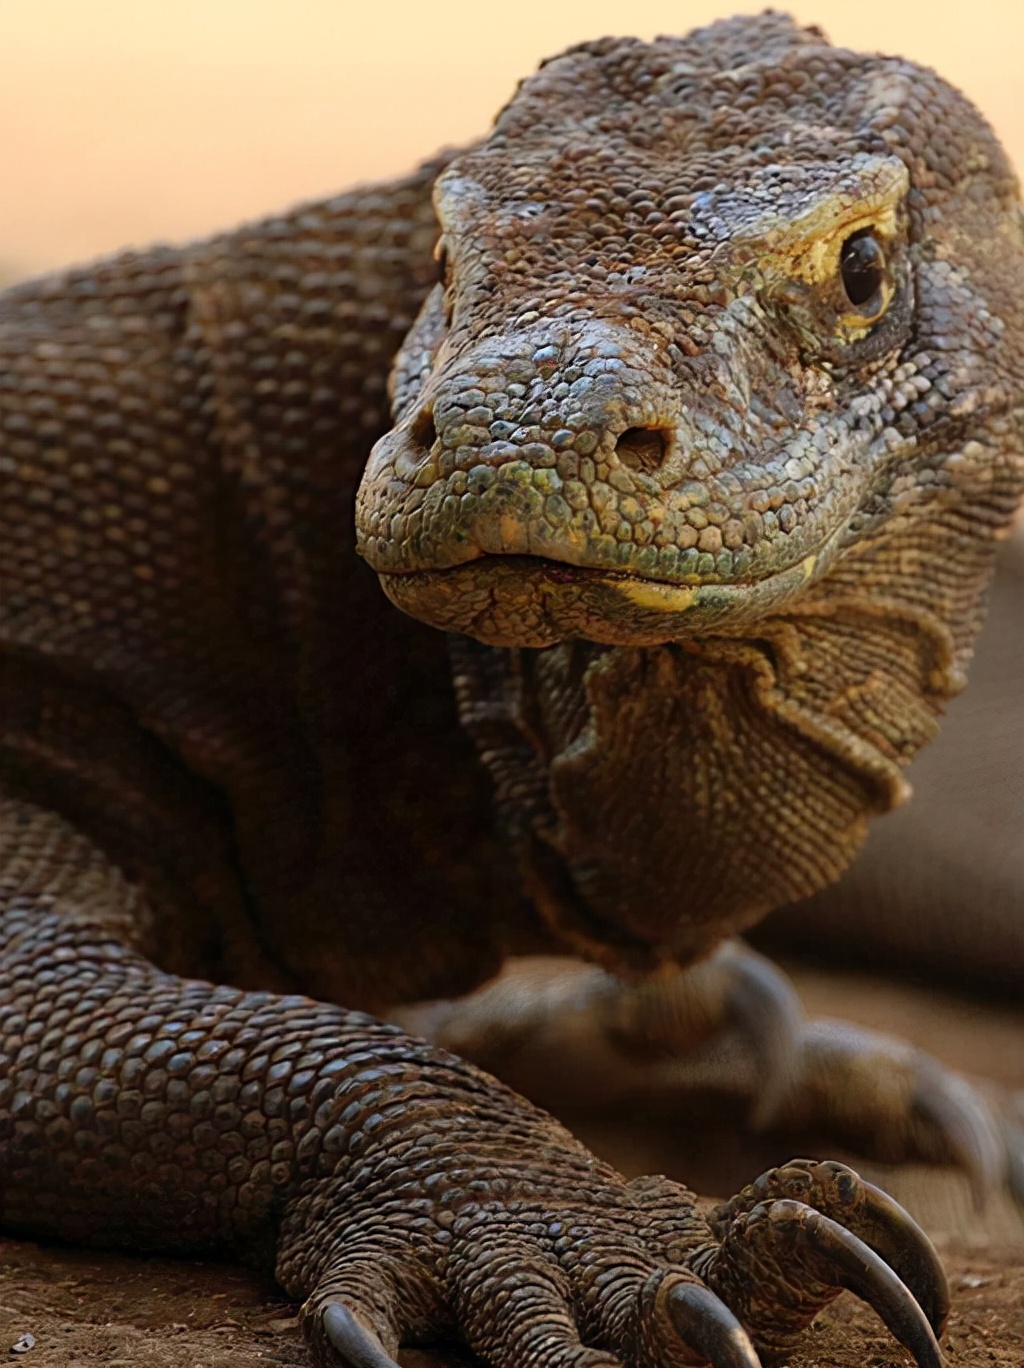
(535, 603)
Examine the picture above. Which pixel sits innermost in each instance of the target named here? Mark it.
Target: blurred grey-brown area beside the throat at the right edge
(939, 890)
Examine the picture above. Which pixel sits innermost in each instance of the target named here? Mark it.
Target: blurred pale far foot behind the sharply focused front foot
(572, 1038)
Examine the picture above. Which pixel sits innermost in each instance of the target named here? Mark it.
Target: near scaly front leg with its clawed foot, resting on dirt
(401, 1194)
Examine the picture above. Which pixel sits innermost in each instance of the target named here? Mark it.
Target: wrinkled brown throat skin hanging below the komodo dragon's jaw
(662, 798)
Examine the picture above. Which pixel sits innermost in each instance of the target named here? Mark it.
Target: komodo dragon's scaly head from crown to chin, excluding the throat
(709, 310)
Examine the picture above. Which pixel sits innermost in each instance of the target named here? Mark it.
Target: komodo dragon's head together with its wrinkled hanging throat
(718, 400)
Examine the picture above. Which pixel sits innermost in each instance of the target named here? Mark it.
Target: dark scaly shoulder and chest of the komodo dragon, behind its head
(240, 687)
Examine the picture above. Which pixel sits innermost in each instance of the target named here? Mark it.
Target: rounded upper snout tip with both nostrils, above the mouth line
(546, 445)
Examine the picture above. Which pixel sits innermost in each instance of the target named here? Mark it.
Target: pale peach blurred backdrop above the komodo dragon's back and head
(132, 121)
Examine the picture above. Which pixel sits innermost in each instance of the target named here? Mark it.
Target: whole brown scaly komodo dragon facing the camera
(702, 448)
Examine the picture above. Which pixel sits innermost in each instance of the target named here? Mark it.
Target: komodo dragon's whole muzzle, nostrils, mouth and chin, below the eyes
(594, 482)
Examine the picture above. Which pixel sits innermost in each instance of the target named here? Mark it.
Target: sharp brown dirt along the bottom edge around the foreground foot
(85, 1310)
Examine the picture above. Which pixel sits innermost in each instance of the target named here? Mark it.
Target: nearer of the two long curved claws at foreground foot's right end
(858, 1267)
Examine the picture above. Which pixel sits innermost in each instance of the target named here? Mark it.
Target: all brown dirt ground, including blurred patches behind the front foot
(85, 1308)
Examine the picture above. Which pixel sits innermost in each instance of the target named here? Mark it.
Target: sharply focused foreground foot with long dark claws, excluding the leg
(625, 1276)
